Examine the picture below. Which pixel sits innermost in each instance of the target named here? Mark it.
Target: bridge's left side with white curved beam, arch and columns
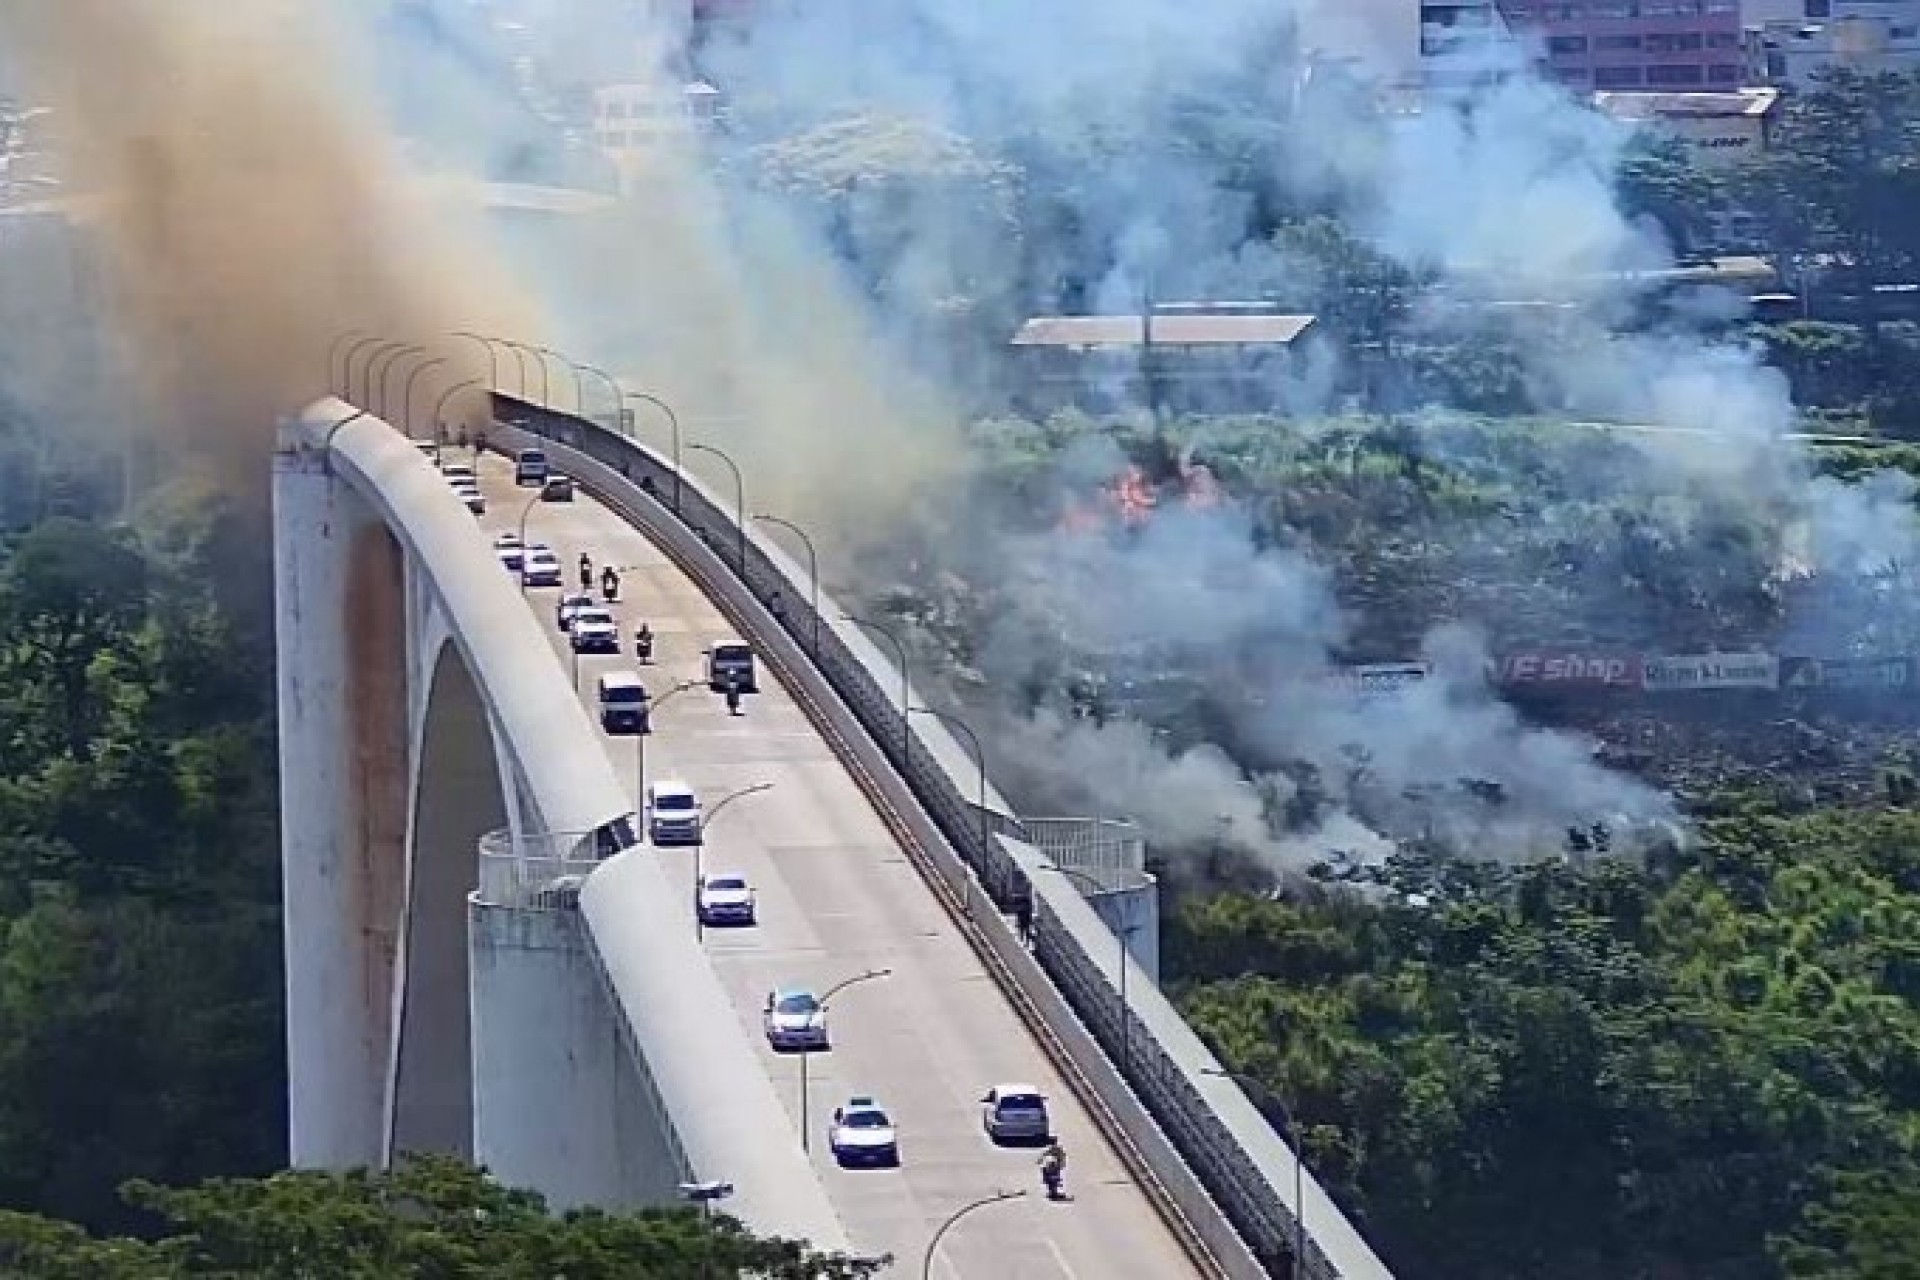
(421, 711)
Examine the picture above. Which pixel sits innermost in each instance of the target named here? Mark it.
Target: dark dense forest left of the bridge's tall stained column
(139, 863)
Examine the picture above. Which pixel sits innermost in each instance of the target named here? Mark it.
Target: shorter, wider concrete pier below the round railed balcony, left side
(558, 1101)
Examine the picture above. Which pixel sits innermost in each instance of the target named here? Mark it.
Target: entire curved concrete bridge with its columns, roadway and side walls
(487, 959)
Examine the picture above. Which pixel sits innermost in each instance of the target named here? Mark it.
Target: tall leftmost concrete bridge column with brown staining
(341, 644)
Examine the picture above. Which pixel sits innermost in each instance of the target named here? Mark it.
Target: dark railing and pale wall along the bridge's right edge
(1222, 1141)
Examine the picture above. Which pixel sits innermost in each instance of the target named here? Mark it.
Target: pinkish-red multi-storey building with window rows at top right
(1656, 45)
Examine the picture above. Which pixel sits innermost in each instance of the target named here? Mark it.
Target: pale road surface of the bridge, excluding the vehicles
(838, 897)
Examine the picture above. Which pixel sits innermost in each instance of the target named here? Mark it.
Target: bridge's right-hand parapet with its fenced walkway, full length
(1197, 1139)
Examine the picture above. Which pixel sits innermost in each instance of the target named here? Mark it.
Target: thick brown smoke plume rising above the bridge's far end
(249, 206)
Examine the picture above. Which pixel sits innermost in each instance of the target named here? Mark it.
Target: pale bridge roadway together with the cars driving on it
(873, 1014)
